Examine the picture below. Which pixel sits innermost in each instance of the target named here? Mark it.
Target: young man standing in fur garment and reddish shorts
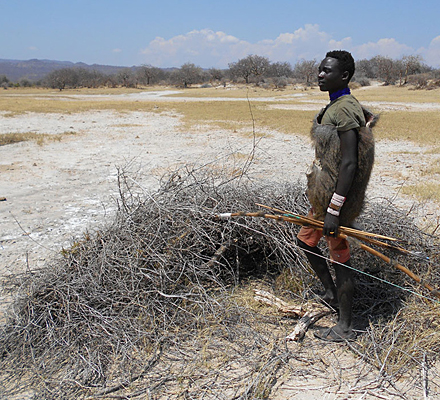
(344, 150)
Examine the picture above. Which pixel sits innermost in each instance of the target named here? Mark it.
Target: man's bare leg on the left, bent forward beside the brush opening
(319, 265)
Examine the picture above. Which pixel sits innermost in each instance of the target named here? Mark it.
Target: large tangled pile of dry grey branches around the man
(149, 304)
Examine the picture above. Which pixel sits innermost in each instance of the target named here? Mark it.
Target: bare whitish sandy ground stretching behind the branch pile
(57, 190)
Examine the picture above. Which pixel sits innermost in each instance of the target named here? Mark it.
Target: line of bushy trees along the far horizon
(251, 69)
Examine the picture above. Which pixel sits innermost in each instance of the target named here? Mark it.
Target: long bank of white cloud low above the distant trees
(208, 48)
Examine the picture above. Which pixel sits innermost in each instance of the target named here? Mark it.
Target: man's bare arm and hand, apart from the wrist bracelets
(347, 170)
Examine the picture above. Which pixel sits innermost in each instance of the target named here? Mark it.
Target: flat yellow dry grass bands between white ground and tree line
(419, 127)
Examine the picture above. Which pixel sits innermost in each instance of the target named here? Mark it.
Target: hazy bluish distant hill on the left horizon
(35, 70)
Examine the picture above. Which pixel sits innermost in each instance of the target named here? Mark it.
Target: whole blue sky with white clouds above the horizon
(168, 33)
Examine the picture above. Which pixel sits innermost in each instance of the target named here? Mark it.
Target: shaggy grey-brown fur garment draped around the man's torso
(322, 179)
